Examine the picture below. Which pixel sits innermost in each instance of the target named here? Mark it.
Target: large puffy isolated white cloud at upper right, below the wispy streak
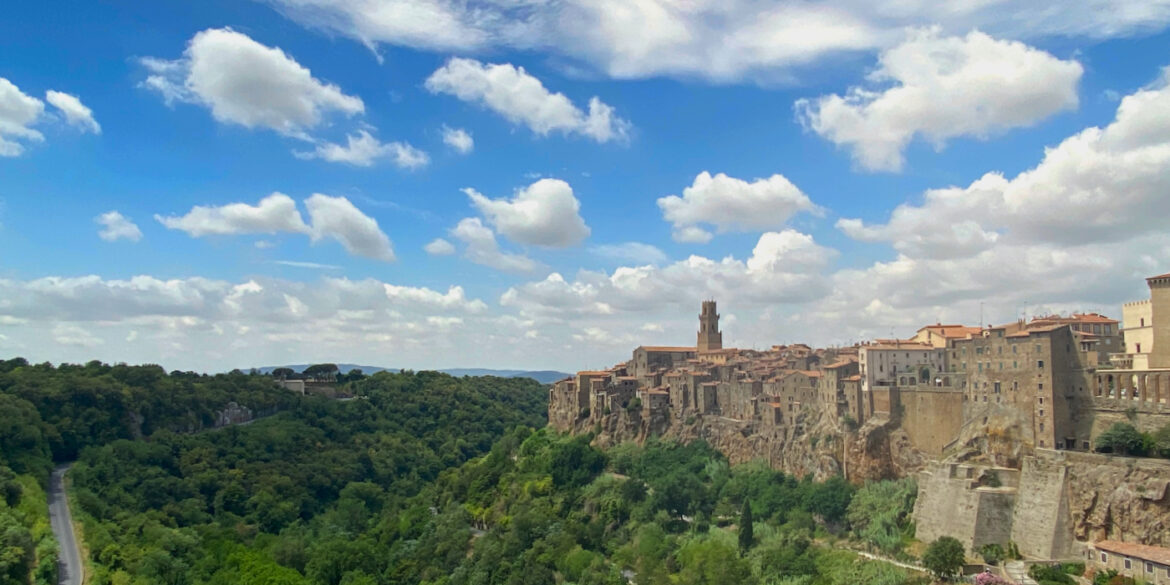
(944, 88)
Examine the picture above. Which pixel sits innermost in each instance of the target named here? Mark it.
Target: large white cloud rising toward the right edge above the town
(1100, 185)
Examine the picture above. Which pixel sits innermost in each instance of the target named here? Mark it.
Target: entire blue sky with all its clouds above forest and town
(547, 184)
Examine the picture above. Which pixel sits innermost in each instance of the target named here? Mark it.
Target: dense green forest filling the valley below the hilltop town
(421, 479)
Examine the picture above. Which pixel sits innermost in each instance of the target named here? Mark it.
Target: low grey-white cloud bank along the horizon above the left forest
(214, 326)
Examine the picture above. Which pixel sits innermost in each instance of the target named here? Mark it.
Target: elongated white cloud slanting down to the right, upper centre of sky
(521, 99)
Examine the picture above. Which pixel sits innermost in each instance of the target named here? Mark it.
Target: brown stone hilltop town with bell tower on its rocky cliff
(1001, 424)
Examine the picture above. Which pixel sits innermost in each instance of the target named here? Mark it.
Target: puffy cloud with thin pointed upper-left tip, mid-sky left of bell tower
(546, 214)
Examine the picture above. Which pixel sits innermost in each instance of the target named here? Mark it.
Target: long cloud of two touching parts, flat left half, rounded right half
(329, 217)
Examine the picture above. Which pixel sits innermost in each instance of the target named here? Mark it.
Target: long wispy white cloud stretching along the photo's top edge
(719, 40)
